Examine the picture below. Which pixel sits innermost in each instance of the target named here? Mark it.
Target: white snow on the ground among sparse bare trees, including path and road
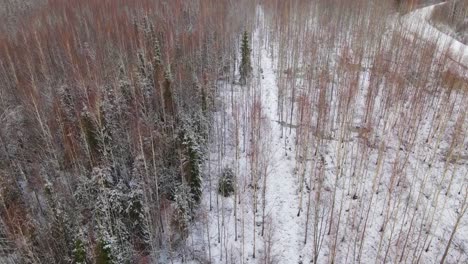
(213, 235)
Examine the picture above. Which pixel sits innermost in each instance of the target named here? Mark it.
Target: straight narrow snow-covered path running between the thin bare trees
(281, 192)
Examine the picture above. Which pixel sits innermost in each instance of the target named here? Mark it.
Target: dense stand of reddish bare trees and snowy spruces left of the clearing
(106, 109)
